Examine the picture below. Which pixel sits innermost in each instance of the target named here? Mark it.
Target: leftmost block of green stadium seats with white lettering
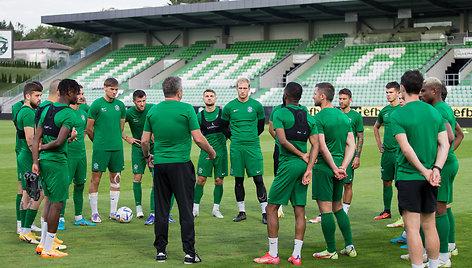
(121, 64)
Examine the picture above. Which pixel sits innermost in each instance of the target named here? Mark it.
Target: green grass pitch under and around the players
(221, 242)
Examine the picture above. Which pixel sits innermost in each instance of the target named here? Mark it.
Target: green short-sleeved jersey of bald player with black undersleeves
(243, 118)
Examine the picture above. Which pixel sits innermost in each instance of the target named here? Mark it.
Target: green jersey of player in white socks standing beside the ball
(107, 127)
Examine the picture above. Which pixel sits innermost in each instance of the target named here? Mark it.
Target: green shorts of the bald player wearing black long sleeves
(247, 158)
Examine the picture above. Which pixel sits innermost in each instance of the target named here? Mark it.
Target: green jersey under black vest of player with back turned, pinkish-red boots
(283, 118)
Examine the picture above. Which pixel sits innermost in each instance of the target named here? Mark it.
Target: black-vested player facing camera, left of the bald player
(212, 128)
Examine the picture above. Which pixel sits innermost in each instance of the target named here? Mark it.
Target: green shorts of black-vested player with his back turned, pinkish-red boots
(287, 185)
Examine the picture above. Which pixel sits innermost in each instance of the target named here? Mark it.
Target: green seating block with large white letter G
(364, 69)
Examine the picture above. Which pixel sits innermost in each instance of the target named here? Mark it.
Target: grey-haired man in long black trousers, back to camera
(173, 124)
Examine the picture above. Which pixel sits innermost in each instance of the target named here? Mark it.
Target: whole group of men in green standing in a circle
(417, 152)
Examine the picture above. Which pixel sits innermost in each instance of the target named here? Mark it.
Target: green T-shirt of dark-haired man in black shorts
(421, 123)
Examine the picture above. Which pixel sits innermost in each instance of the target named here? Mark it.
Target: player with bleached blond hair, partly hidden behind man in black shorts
(431, 94)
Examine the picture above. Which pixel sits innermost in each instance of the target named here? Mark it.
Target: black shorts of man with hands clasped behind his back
(416, 196)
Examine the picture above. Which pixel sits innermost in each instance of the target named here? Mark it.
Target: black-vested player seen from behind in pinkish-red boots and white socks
(294, 127)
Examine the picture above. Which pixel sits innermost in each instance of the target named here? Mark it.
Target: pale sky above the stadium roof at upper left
(29, 12)
